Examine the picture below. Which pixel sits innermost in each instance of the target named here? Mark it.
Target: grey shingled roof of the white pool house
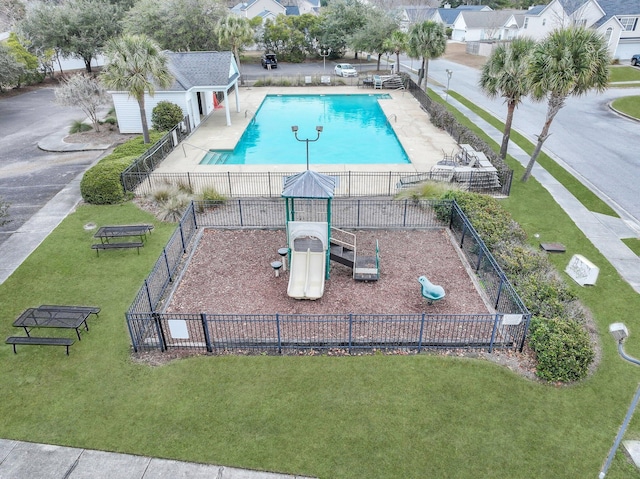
(201, 69)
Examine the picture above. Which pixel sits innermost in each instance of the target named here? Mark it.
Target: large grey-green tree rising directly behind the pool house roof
(177, 25)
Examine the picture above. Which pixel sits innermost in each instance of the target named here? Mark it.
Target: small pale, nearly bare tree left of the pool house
(85, 92)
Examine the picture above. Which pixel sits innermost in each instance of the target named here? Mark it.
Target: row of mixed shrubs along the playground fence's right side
(557, 333)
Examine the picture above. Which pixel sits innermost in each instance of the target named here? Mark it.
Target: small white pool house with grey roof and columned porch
(198, 78)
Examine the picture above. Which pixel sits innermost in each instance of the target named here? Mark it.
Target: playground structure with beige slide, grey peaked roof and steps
(309, 237)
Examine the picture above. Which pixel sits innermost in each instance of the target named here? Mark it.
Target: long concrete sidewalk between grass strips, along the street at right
(605, 232)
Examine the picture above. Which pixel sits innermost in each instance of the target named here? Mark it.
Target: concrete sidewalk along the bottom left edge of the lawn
(25, 460)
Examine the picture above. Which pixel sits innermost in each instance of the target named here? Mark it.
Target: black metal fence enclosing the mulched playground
(152, 329)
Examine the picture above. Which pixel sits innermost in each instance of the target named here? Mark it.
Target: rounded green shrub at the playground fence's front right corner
(563, 349)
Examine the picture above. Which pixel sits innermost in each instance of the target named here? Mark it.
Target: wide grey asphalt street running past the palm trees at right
(588, 139)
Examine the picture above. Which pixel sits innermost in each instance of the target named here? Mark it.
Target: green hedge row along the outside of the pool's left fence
(101, 183)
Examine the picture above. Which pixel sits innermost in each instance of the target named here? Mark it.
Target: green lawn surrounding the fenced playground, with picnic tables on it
(372, 416)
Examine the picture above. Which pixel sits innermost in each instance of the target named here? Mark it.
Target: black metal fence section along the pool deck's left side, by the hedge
(150, 159)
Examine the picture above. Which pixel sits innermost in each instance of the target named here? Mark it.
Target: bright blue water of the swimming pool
(356, 131)
